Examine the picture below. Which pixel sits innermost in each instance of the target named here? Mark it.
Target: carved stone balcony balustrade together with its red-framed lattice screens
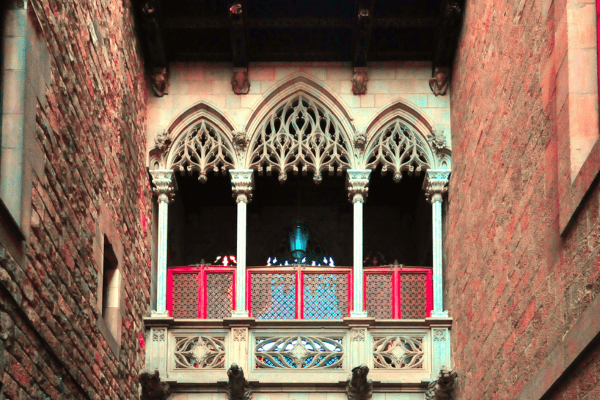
(299, 327)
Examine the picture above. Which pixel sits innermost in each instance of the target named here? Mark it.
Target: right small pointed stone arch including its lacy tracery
(402, 138)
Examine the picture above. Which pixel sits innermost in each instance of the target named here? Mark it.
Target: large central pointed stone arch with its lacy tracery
(300, 124)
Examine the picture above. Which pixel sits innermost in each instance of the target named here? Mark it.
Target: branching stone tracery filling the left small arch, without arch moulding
(203, 149)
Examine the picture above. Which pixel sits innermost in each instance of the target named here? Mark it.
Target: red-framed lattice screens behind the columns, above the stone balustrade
(299, 292)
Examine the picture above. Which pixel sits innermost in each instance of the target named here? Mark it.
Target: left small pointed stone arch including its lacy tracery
(200, 140)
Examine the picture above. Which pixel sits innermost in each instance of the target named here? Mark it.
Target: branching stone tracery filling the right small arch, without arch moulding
(399, 148)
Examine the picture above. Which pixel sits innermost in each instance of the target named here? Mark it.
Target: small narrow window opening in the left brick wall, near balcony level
(110, 288)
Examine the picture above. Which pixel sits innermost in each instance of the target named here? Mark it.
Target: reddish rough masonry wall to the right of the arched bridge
(514, 285)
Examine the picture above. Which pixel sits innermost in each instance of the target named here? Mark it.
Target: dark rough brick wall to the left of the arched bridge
(87, 138)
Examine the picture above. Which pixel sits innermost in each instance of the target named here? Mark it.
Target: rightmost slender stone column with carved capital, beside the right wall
(435, 186)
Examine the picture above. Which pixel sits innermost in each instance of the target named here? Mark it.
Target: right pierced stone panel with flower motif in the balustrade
(398, 352)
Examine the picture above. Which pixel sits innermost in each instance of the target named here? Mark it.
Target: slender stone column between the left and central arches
(242, 183)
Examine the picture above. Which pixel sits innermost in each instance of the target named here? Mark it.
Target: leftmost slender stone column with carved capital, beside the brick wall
(165, 186)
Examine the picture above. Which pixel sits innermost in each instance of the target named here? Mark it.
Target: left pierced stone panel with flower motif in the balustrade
(202, 352)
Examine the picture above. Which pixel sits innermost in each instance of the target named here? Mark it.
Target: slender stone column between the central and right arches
(358, 187)
